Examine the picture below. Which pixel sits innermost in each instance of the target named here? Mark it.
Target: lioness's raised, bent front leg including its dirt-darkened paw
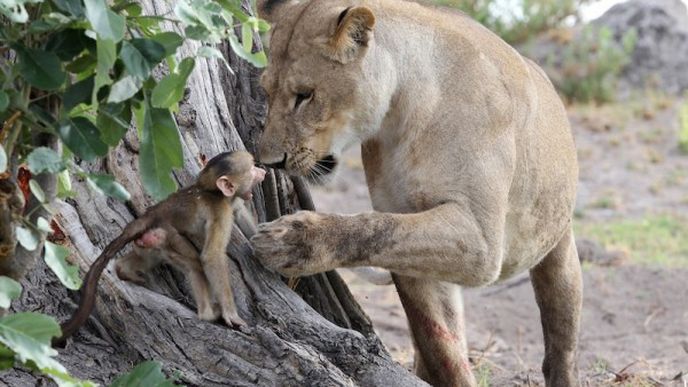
(445, 243)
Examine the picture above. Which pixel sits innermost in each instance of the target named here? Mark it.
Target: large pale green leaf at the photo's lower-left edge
(29, 334)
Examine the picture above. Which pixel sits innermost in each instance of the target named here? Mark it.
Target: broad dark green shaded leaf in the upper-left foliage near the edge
(40, 68)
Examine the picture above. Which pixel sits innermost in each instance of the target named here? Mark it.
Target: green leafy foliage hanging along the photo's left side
(81, 71)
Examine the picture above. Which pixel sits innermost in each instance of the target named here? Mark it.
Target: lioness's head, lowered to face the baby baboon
(318, 95)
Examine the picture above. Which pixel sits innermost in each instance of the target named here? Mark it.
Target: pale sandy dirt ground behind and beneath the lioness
(635, 315)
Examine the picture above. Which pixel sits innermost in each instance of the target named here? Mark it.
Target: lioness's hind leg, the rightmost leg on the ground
(559, 293)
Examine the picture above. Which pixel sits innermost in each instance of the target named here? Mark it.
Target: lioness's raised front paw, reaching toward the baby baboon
(294, 245)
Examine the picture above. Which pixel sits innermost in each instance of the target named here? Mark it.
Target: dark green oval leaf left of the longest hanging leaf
(82, 138)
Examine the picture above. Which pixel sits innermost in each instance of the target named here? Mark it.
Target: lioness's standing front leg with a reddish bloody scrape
(435, 313)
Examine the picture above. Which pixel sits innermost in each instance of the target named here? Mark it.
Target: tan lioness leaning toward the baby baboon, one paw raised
(468, 156)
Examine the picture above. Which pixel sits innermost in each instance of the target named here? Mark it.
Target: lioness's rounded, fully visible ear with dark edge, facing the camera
(354, 32)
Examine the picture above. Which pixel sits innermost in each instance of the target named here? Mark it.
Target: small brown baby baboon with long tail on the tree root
(199, 217)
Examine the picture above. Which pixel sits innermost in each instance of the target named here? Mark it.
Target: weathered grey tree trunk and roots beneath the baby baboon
(326, 341)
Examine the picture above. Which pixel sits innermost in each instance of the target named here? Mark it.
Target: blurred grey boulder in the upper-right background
(660, 58)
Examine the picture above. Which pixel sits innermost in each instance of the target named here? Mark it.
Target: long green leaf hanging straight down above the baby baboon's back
(160, 152)
